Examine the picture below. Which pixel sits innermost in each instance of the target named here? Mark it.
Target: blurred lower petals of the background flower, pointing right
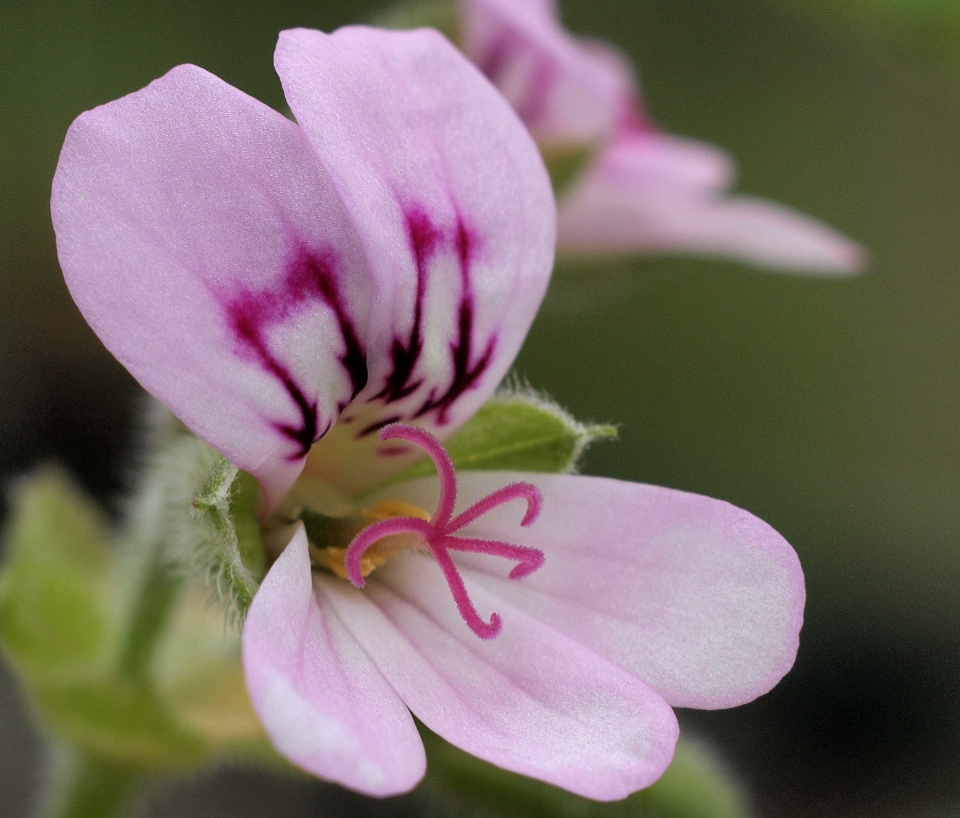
(650, 192)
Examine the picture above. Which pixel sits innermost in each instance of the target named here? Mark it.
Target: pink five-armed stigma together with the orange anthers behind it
(404, 527)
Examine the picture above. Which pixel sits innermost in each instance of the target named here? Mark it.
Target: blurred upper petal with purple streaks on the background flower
(566, 91)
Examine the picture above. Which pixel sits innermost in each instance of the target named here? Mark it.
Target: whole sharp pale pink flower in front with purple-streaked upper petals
(323, 302)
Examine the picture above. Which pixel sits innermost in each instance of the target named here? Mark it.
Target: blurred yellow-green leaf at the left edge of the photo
(55, 581)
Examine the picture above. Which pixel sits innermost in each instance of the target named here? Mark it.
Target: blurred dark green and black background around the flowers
(828, 407)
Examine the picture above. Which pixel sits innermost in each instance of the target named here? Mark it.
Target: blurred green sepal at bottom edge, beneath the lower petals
(694, 786)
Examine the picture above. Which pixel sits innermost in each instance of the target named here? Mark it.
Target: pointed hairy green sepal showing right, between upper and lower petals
(520, 431)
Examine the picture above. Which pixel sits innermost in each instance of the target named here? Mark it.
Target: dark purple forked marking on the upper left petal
(310, 277)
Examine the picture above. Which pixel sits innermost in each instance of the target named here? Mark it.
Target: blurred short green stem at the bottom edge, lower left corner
(85, 786)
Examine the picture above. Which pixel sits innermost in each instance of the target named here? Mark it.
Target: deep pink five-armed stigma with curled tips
(437, 534)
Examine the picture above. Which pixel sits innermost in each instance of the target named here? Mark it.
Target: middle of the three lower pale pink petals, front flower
(532, 700)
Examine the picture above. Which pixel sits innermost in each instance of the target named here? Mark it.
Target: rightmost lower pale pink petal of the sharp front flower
(700, 599)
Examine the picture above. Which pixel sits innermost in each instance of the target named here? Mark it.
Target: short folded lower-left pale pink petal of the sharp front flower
(322, 701)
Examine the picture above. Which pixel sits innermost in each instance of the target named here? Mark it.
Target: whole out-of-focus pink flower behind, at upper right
(644, 191)
